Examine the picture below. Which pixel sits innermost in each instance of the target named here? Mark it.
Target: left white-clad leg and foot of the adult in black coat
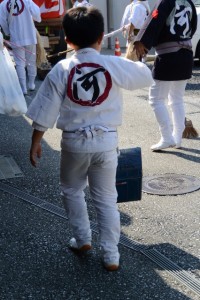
(157, 96)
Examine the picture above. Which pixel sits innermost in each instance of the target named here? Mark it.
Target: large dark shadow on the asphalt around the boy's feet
(35, 261)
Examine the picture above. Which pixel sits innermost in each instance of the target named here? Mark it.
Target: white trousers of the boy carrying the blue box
(100, 171)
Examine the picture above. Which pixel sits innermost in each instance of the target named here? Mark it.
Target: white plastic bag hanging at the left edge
(12, 101)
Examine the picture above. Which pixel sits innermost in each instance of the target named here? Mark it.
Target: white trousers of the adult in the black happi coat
(174, 92)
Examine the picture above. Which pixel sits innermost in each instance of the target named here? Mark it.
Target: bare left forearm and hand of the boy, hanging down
(36, 148)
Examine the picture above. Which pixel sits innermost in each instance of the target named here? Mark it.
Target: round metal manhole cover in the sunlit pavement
(170, 184)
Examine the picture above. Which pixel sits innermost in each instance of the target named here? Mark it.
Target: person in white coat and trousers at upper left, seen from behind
(17, 20)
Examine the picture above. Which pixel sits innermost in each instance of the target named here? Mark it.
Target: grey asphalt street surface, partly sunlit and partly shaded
(35, 262)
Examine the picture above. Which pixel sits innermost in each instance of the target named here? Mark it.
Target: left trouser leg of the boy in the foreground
(73, 180)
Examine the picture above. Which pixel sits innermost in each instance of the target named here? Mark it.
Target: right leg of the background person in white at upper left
(31, 66)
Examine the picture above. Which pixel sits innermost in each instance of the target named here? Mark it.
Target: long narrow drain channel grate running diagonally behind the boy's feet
(155, 256)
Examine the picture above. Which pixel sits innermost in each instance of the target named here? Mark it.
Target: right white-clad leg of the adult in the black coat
(176, 103)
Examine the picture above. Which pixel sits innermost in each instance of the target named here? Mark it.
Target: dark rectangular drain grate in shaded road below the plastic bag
(9, 168)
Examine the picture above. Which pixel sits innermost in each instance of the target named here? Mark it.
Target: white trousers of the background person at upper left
(25, 58)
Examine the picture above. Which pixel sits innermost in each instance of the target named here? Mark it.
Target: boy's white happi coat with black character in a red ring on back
(85, 91)
